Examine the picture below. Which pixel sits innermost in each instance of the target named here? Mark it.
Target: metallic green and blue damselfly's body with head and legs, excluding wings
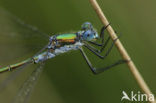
(62, 43)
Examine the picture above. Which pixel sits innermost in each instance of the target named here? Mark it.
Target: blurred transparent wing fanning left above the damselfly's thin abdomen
(17, 39)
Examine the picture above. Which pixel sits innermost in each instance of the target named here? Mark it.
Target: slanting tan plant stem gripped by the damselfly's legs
(122, 50)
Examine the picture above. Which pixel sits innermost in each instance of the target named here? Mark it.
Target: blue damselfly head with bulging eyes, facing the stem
(89, 33)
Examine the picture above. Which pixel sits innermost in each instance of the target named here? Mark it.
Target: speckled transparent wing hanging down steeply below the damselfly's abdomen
(25, 91)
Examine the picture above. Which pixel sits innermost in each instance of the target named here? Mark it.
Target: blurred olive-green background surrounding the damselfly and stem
(67, 78)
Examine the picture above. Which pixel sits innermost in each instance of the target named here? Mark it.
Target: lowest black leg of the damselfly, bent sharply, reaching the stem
(99, 70)
